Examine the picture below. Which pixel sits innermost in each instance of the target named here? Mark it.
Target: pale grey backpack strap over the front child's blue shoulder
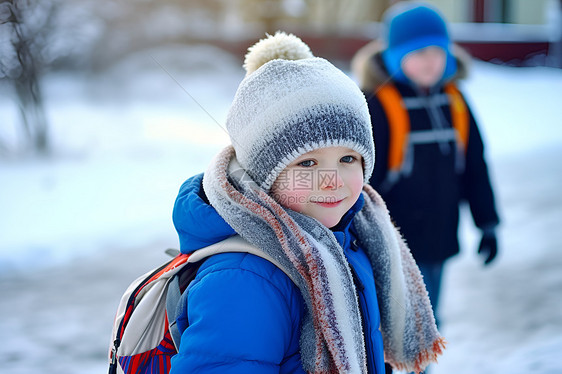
(233, 244)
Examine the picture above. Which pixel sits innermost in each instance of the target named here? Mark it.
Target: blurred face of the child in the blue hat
(426, 66)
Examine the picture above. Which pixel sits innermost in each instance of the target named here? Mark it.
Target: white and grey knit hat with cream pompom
(290, 103)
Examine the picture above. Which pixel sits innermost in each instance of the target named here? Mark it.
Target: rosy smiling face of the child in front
(323, 184)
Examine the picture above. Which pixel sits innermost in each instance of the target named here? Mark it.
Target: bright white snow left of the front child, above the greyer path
(124, 143)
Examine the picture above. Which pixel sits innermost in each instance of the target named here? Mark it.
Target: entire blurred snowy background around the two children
(107, 106)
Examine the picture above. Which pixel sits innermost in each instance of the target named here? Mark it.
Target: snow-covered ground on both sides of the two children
(75, 229)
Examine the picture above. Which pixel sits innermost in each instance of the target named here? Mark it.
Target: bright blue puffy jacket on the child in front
(243, 314)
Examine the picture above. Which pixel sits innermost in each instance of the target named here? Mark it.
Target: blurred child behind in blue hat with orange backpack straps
(430, 156)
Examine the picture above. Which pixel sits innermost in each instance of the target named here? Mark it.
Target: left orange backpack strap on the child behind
(398, 124)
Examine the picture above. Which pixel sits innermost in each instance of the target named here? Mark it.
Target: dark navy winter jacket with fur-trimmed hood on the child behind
(424, 201)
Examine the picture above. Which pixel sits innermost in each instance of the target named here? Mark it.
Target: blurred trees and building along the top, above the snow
(92, 38)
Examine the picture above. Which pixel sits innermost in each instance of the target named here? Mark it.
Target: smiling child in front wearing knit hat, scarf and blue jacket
(344, 288)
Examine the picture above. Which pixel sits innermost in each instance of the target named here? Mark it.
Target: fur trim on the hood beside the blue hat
(369, 71)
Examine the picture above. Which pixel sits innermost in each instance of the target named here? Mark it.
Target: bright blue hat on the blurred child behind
(412, 26)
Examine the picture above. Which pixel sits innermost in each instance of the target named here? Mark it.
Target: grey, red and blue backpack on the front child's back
(145, 336)
